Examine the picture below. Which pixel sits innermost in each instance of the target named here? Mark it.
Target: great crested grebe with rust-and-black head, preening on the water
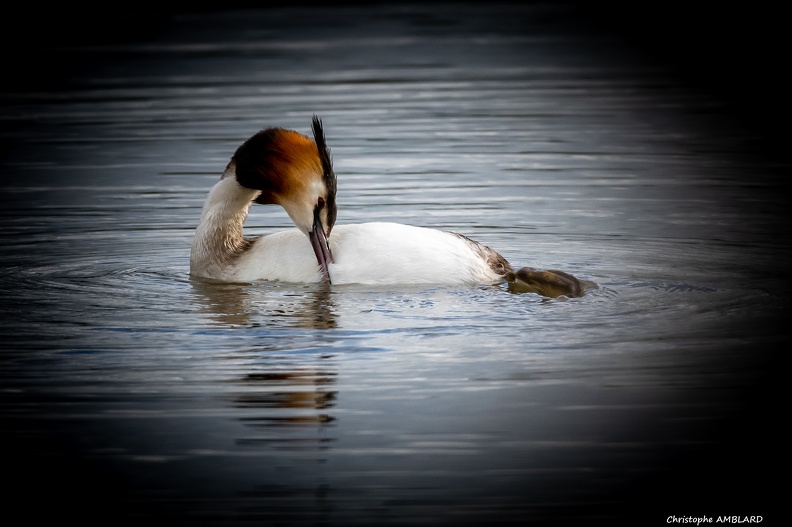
(284, 167)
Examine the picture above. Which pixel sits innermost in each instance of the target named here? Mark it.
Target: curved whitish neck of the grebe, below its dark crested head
(218, 238)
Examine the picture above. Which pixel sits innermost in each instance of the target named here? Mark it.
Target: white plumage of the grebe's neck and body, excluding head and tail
(366, 253)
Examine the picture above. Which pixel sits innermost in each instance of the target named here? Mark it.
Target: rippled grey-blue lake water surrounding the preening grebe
(129, 391)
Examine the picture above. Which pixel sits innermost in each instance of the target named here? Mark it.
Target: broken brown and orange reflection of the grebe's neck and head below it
(283, 392)
